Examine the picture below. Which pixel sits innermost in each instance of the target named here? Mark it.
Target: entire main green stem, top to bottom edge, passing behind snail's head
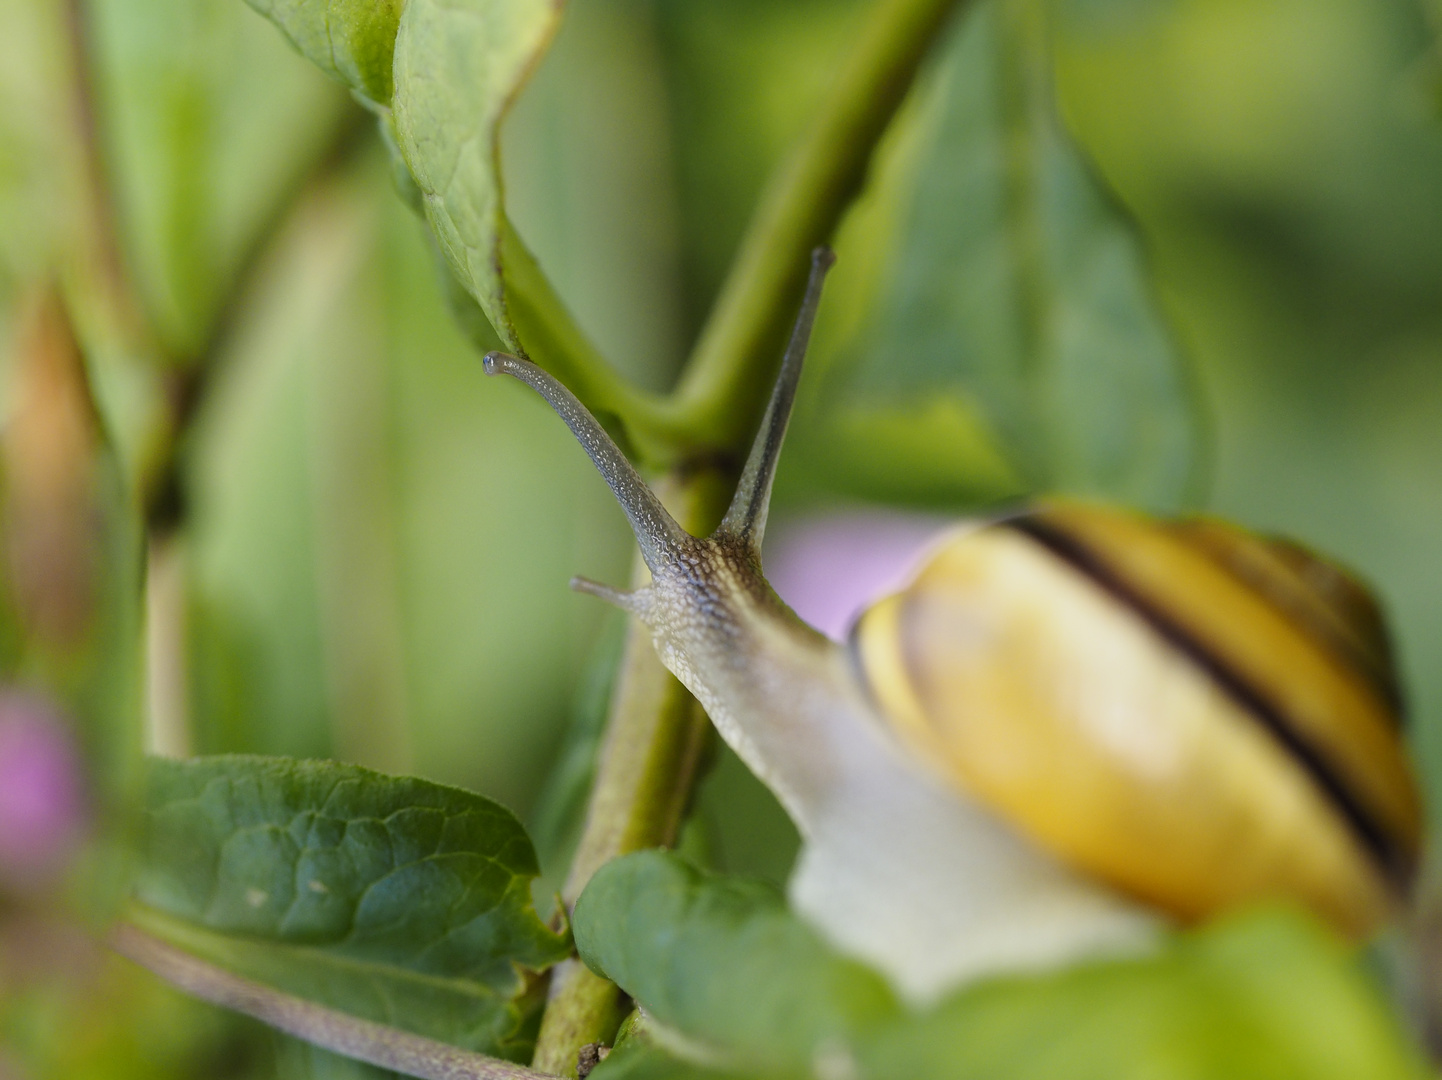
(657, 730)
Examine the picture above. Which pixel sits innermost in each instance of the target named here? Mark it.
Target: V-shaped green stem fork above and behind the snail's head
(723, 389)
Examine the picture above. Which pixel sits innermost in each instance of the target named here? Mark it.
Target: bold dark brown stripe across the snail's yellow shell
(1395, 862)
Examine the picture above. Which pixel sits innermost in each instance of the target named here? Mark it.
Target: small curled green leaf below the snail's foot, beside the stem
(725, 962)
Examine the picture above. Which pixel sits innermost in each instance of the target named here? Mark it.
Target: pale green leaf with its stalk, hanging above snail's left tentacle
(445, 76)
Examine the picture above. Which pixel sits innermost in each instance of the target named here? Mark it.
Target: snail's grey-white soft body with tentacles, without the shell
(898, 869)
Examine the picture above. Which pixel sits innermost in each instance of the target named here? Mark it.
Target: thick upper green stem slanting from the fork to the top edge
(725, 386)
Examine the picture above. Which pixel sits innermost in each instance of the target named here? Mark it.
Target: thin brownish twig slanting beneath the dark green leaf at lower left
(364, 1040)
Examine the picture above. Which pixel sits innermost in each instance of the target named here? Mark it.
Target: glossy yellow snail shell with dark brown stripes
(1198, 716)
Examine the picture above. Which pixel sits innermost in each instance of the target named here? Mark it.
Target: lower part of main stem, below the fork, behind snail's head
(655, 738)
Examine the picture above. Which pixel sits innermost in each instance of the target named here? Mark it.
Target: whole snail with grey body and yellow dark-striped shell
(1076, 727)
